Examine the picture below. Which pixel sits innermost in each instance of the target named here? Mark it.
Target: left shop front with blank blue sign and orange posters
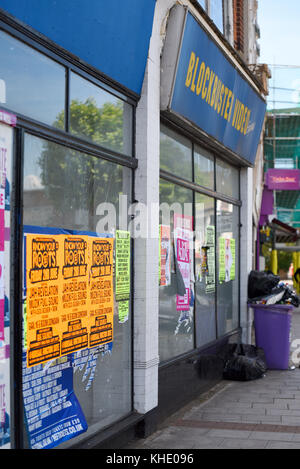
(67, 147)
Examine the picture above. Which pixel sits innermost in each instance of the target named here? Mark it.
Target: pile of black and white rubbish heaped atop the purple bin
(266, 288)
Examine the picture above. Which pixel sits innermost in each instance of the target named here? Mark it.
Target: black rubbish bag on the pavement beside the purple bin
(244, 363)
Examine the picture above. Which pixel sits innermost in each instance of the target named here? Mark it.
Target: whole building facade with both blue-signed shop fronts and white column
(127, 153)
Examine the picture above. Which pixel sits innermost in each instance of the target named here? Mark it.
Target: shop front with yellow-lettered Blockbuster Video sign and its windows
(211, 121)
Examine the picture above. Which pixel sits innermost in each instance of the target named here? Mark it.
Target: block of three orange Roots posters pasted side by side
(69, 282)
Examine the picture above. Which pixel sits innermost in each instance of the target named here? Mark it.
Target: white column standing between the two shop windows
(146, 249)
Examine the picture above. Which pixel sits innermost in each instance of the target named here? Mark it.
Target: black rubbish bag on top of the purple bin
(261, 283)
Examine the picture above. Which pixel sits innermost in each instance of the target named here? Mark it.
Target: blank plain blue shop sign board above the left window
(123, 28)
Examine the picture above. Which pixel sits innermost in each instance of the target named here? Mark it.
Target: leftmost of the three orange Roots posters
(43, 260)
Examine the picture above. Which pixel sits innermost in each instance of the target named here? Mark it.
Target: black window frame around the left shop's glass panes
(33, 127)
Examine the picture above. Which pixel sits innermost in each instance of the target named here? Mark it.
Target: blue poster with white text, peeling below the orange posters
(52, 411)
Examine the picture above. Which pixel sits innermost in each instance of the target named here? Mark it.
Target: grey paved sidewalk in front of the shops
(260, 414)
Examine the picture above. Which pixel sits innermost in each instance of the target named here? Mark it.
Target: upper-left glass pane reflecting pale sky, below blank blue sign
(31, 83)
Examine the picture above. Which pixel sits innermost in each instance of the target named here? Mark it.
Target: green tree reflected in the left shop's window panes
(74, 181)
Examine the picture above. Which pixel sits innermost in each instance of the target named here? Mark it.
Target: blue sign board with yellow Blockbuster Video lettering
(208, 90)
